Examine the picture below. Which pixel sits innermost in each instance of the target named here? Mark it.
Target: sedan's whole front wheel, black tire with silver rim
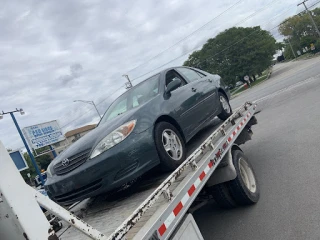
(170, 146)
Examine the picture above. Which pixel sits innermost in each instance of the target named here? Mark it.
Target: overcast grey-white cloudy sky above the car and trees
(55, 52)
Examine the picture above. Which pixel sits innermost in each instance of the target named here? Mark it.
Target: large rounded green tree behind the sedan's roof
(236, 52)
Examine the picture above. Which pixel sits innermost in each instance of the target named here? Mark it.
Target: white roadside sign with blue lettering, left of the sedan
(43, 134)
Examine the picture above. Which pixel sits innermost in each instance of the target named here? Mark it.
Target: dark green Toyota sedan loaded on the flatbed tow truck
(146, 126)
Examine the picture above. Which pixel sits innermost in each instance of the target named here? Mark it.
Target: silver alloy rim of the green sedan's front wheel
(172, 144)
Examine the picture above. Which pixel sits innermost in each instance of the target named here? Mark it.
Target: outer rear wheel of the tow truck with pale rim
(244, 189)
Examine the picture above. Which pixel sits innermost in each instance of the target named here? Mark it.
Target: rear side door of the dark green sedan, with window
(205, 86)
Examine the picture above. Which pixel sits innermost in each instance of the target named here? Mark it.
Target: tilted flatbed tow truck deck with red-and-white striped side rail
(156, 208)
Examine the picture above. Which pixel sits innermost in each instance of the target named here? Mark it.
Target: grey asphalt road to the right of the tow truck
(284, 154)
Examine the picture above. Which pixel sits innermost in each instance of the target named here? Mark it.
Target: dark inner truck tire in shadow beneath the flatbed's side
(221, 196)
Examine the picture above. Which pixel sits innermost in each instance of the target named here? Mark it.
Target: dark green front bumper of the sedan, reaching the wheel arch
(120, 164)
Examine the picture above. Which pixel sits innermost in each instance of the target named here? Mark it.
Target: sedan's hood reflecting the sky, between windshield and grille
(92, 138)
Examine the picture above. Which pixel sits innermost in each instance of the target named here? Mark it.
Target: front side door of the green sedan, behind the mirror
(181, 103)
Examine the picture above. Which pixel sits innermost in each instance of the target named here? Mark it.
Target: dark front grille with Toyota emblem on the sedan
(74, 162)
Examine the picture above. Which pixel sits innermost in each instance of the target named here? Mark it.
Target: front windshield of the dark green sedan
(135, 97)
